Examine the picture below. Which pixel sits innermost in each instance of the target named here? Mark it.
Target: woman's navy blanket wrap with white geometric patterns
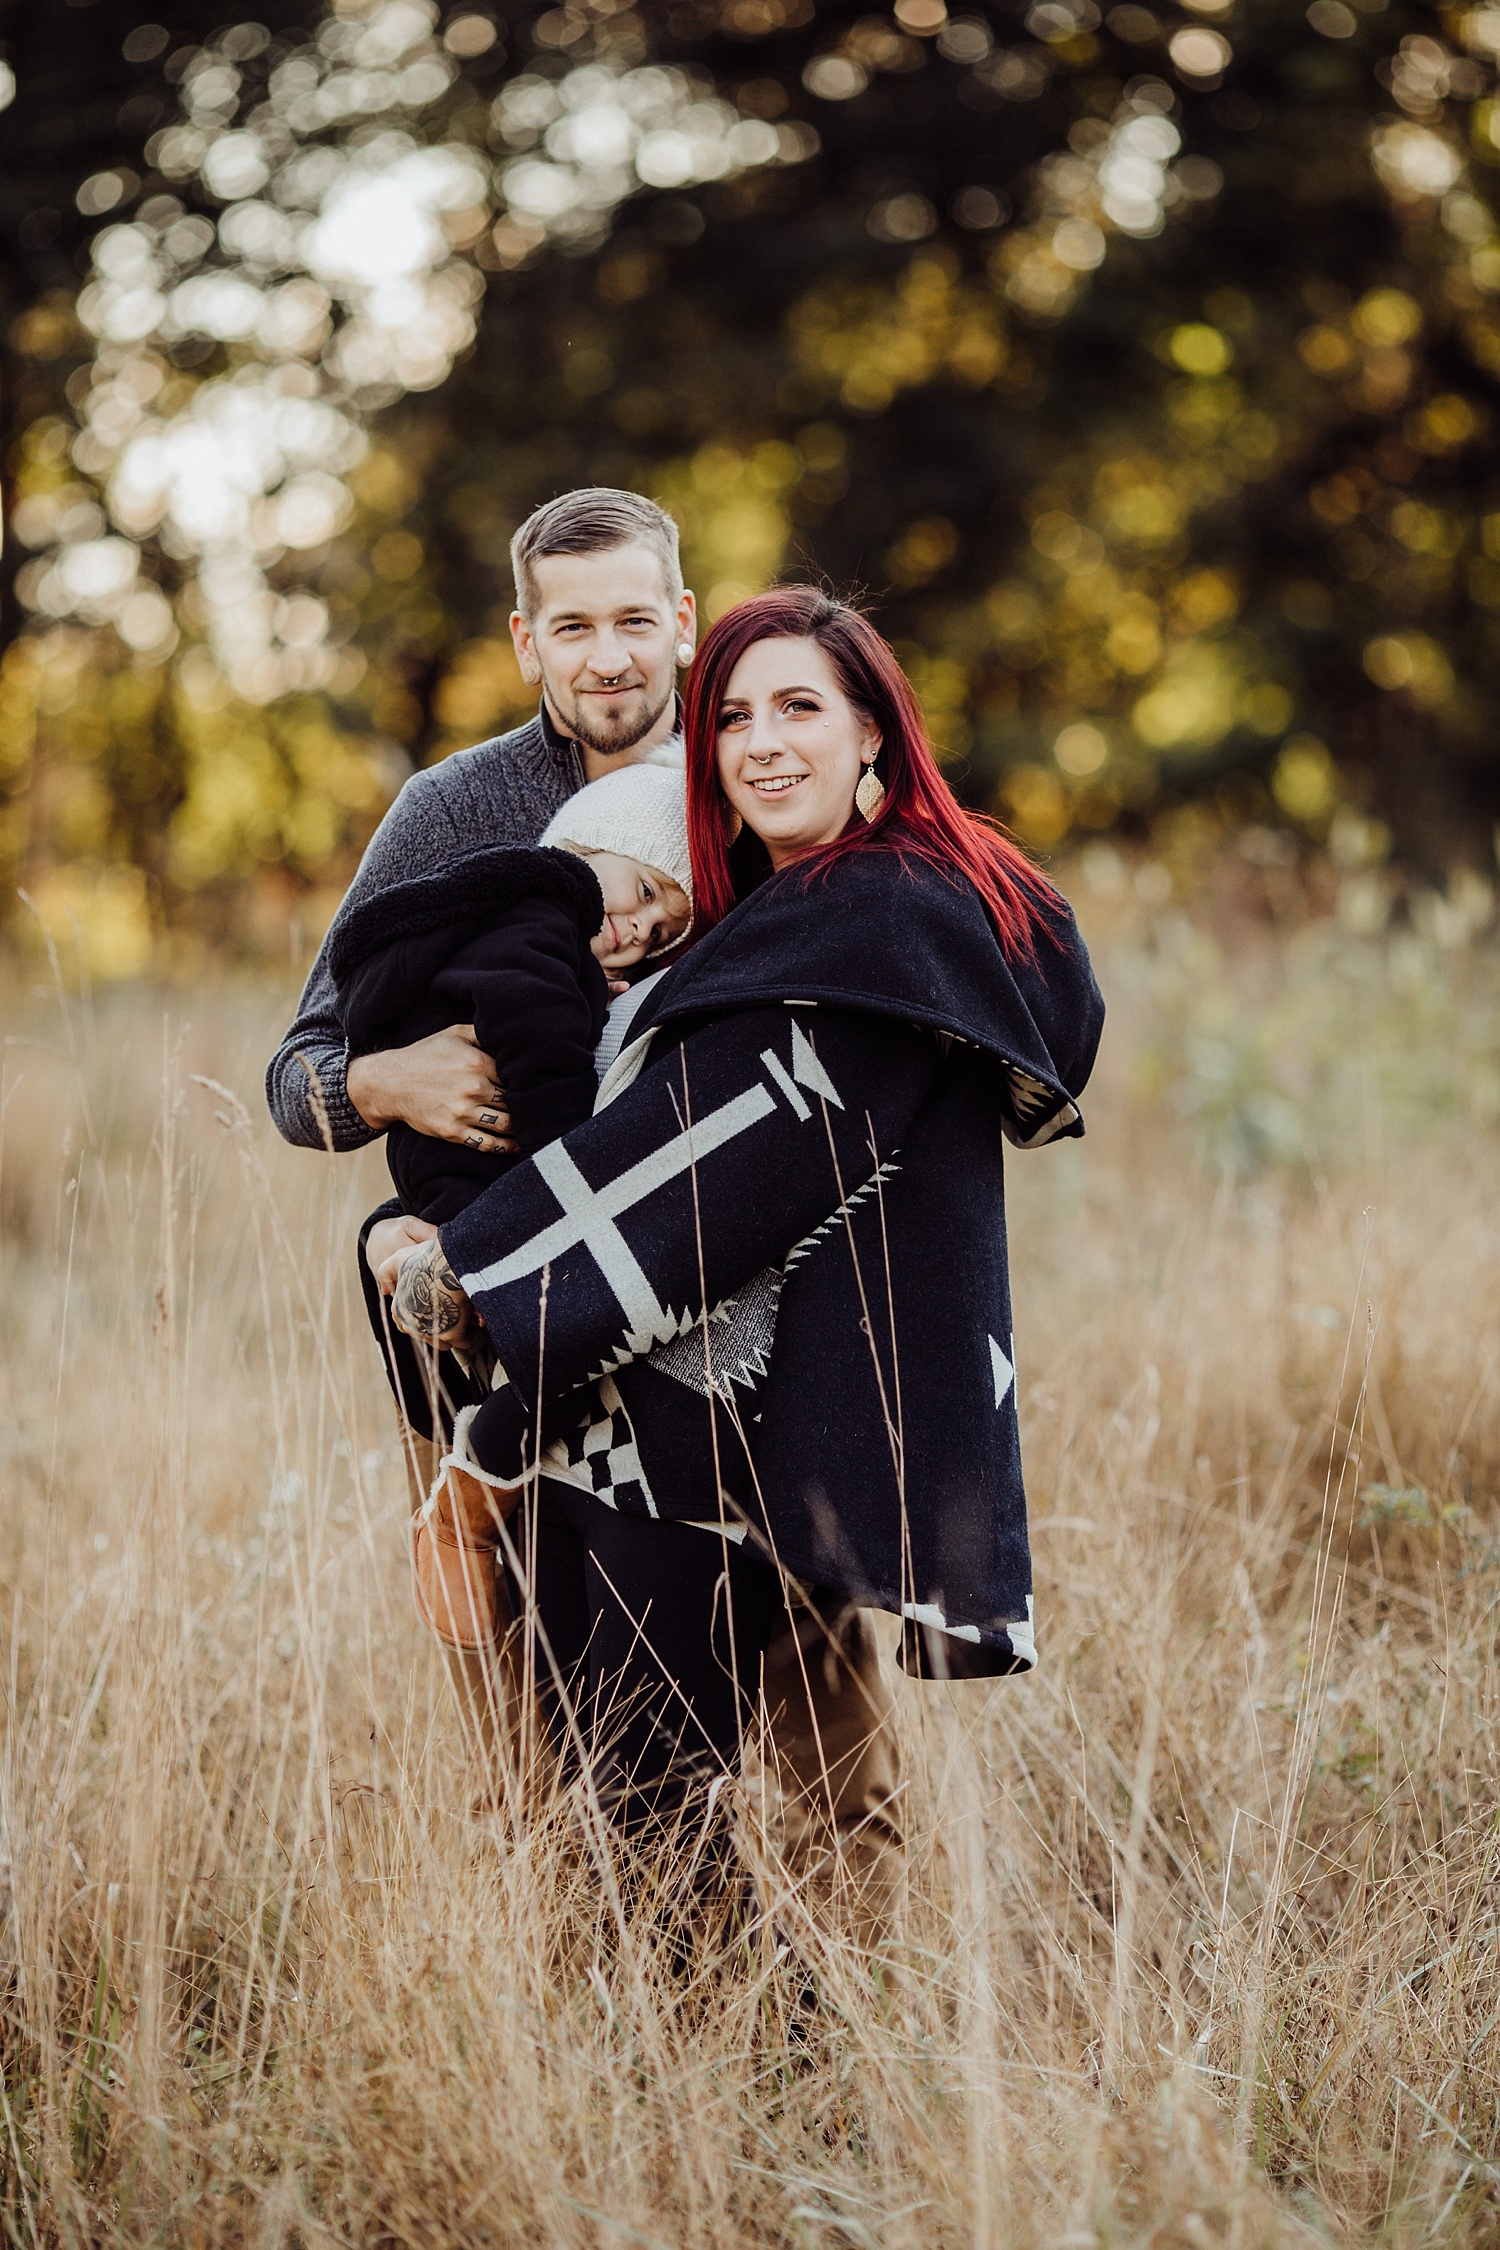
(768, 1284)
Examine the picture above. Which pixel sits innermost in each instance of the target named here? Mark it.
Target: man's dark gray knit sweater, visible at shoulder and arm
(500, 793)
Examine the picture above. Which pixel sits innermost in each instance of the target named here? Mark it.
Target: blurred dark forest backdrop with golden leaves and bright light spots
(1137, 368)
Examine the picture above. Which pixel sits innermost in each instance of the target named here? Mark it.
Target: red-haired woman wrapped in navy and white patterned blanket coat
(752, 1322)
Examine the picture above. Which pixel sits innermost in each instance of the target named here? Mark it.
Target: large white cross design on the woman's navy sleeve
(590, 1214)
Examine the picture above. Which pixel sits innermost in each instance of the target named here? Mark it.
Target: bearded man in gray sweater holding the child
(602, 624)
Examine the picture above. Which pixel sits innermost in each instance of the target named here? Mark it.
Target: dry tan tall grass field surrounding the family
(1207, 1938)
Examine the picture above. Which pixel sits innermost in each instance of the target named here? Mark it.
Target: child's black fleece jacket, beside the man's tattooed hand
(496, 939)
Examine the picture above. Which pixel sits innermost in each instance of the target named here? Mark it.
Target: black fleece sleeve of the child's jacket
(534, 1018)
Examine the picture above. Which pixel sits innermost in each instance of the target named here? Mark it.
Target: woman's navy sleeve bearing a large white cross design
(714, 1164)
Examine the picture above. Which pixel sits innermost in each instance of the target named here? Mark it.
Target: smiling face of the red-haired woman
(790, 748)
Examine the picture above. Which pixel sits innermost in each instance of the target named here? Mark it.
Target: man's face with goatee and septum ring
(606, 642)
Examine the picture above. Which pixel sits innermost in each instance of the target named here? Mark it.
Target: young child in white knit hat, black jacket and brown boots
(521, 944)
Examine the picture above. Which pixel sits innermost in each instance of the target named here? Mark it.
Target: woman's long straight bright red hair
(921, 816)
